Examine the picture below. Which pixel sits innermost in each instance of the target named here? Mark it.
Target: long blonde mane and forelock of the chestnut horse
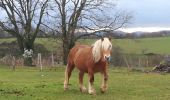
(98, 46)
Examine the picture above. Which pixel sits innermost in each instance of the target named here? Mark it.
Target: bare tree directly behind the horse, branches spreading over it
(88, 17)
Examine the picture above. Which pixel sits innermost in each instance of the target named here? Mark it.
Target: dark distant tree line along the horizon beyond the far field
(115, 34)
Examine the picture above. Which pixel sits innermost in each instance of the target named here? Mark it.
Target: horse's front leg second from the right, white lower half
(91, 90)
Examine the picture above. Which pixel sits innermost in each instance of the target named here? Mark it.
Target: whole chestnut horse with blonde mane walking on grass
(89, 59)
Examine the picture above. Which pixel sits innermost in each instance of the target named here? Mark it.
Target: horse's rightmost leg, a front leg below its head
(104, 82)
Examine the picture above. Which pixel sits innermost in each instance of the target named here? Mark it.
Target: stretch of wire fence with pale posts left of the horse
(37, 61)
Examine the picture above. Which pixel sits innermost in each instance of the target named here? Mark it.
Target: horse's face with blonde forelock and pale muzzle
(106, 49)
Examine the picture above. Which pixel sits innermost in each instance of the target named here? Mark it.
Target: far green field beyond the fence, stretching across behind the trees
(129, 46)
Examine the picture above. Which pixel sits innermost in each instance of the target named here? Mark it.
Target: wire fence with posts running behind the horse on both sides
(53, 60)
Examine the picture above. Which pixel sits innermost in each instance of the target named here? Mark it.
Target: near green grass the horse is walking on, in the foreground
(31, 84)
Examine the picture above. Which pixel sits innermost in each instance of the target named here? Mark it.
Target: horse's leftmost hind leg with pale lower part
(68, 71)
